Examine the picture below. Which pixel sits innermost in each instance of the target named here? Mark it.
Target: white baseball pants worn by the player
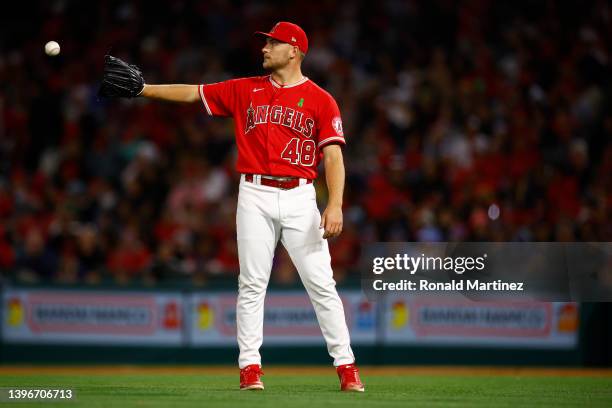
(265, 215)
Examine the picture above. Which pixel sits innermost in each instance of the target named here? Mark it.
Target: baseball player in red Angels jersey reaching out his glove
(285, 125)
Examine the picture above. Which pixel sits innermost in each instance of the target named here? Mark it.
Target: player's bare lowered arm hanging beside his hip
(331, 220)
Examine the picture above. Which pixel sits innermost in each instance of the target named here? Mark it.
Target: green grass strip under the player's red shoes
(314, 391)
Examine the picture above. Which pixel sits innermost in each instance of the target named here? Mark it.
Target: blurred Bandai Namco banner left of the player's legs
(86, 317)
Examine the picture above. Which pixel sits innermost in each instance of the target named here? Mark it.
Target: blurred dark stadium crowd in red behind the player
(477, 121)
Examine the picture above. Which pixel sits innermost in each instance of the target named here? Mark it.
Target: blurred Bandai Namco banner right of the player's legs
(428, 321)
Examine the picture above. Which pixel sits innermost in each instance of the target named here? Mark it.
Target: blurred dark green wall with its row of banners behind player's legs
(199, 326)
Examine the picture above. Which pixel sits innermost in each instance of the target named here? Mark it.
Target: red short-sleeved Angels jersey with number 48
(280, 130)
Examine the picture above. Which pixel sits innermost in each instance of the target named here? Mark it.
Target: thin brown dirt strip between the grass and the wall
(307, 370)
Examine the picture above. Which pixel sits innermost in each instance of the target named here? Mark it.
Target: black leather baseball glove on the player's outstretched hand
(120, 79)
